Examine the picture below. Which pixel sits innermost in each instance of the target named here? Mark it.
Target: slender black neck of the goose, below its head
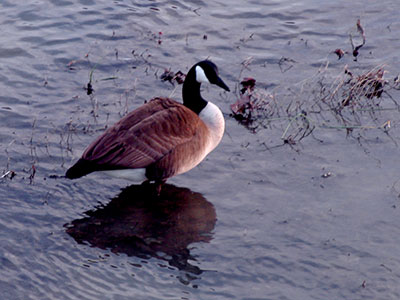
(191, 93)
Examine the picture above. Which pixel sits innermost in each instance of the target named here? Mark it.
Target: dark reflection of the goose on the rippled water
(139, 223)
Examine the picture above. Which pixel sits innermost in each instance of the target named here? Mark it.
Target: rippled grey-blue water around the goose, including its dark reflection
(253, 221)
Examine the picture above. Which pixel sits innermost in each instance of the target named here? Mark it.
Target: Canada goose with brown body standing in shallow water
(161, 138)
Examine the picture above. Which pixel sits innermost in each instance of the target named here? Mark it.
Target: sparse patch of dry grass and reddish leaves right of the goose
(346, 101)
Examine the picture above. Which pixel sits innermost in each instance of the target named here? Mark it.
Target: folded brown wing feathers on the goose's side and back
(144, 136)
